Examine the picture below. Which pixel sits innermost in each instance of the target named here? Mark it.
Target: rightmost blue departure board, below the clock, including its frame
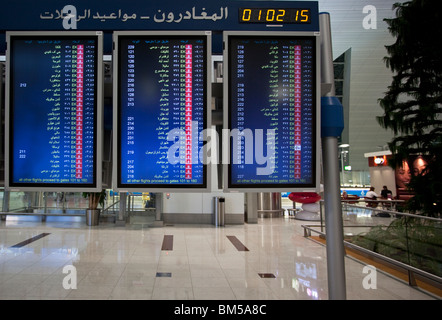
(271, 110)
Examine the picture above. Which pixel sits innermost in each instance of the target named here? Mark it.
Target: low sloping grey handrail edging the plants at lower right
(411, 270)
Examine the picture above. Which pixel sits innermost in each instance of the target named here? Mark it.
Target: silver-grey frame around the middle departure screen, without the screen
(117, 183)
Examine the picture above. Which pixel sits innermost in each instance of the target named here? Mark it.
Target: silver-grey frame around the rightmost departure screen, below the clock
(314, 185)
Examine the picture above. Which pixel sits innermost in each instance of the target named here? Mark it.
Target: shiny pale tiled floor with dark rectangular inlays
(266, 261)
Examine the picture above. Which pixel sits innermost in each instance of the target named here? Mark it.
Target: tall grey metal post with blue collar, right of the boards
(331, 127)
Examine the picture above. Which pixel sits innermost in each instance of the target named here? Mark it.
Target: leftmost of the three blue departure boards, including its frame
(54, 110)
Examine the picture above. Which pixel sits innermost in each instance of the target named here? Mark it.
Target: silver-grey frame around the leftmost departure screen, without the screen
(96, 184)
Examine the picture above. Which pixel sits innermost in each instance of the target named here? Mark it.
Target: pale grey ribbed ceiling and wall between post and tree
(369, 75)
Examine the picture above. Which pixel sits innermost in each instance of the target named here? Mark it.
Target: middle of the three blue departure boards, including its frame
(161, 107)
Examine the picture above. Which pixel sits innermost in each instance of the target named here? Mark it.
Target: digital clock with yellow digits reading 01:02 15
(274, 15)
